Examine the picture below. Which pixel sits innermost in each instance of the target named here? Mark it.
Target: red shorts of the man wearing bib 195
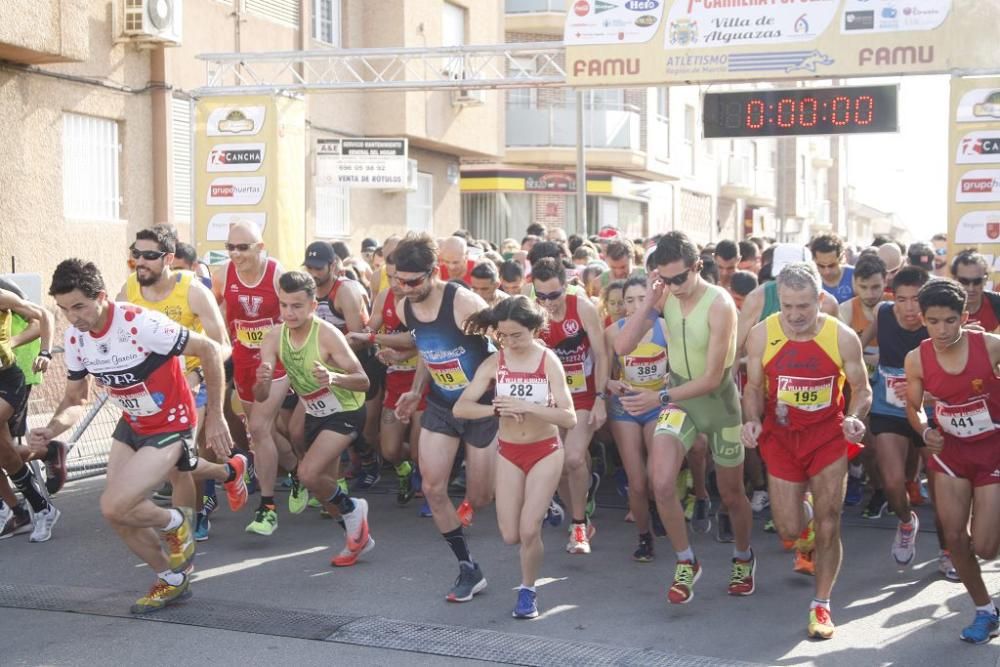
(795, 456)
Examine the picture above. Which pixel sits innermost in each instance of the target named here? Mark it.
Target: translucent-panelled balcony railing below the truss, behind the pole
(605, 126)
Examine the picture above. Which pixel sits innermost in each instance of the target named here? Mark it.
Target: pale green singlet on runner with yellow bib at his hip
(689, 335)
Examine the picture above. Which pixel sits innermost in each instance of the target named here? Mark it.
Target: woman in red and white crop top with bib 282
(533, 402)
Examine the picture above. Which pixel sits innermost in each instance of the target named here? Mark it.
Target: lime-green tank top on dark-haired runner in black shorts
(319, 400)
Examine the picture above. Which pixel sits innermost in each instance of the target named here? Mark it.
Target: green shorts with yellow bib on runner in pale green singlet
(717, 415)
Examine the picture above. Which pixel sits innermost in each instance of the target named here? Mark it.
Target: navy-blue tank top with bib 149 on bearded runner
(451, 355)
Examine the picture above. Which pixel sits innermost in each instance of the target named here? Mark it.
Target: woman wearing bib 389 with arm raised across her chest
(643, 369)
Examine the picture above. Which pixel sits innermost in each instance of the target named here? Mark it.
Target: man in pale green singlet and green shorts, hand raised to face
(701, 328)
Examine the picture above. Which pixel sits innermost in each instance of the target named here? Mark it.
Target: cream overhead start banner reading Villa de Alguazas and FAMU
(633, 42)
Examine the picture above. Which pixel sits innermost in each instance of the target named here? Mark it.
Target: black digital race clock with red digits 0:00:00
(780, 113)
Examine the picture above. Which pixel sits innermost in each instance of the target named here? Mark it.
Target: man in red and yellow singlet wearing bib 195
(797, 364)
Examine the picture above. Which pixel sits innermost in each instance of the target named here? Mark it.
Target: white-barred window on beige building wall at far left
(90, 168)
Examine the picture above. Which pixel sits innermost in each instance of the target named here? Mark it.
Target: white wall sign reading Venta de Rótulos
(362, 163)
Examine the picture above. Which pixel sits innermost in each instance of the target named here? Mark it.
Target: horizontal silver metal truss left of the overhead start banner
(526, 65)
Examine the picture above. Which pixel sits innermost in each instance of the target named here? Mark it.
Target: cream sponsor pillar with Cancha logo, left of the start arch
(249, 165)
